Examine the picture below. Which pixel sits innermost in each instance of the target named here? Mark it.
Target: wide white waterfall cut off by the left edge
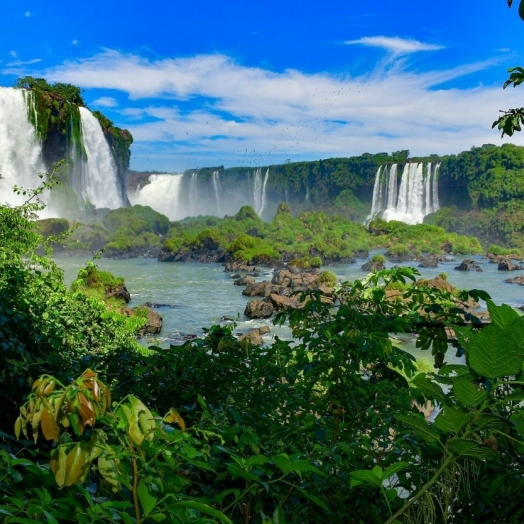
(20, 149)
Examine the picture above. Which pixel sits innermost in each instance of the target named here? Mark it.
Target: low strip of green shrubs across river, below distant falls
(245, 237)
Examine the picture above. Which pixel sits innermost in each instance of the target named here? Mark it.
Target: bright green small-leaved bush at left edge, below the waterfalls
(43, 327)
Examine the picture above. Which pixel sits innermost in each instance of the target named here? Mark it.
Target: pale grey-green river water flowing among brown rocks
(194, 296)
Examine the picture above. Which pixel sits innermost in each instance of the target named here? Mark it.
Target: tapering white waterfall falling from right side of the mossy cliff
(98, 176)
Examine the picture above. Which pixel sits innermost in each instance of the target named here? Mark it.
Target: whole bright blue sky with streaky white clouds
(239, 83)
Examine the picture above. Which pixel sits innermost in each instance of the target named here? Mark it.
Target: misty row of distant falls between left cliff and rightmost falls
(181, 196)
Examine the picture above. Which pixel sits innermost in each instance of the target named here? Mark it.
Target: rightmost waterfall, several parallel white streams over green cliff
(410, 200)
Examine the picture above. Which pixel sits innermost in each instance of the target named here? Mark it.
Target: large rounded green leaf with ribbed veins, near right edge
(492, 353)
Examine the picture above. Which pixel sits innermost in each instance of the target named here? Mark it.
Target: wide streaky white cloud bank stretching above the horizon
(209, 109)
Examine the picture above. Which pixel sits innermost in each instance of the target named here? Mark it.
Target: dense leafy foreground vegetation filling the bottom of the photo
(330, 428)
